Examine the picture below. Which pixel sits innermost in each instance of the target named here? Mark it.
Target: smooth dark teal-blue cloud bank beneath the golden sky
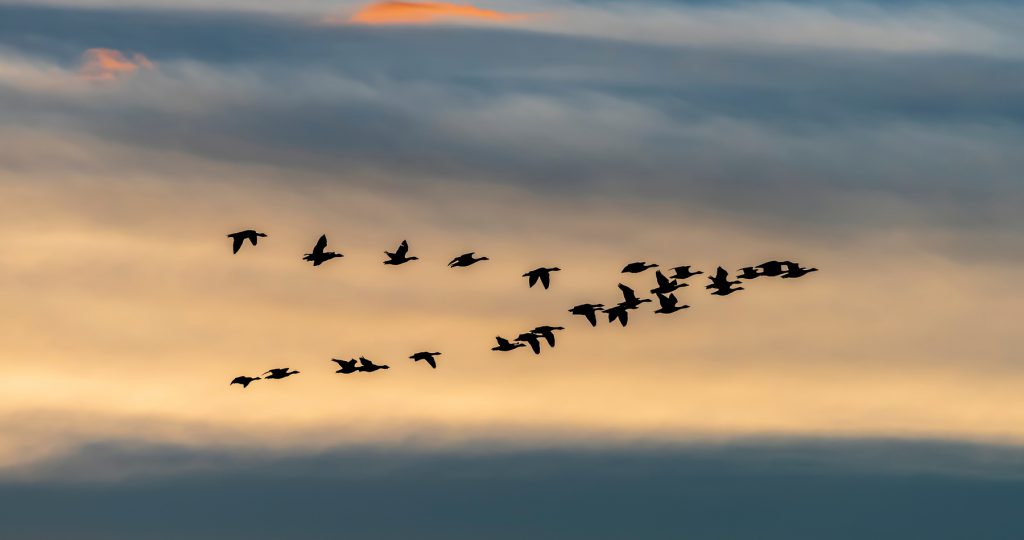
(848, 490)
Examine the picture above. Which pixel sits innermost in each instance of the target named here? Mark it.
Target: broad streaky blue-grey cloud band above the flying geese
(816, 136)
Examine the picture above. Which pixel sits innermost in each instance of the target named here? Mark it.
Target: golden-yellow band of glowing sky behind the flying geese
(127, 312)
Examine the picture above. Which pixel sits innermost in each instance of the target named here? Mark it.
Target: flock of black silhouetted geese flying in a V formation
(720, 285)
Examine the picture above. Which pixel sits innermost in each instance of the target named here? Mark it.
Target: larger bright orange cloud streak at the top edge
(397, 13)
